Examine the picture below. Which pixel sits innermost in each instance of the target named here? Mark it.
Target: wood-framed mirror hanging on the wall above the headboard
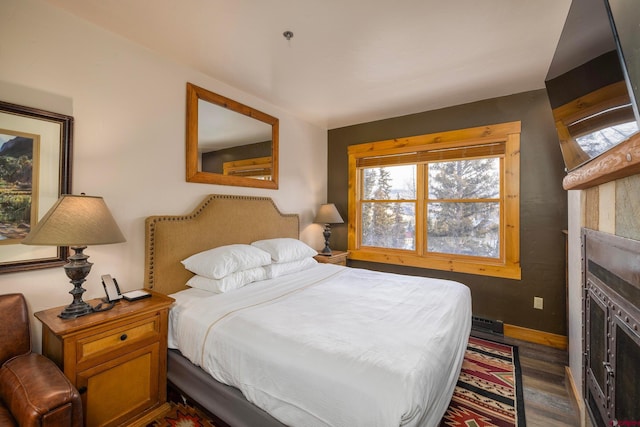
(229, 143)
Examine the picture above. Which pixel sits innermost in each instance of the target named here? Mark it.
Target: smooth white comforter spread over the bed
(332, 346)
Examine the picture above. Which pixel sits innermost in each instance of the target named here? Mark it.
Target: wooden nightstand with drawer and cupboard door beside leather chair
(117, 359)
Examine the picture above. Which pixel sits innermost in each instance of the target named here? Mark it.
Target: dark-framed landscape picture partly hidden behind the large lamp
(35, 169)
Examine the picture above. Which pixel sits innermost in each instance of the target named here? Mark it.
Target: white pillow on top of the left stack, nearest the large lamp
(219, 262)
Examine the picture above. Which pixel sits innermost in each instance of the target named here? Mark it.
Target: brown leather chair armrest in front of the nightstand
(37, 393)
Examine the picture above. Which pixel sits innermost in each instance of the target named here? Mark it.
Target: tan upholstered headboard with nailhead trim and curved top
(219, 220)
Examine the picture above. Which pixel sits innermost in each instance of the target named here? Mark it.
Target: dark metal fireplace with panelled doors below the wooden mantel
(611, 322)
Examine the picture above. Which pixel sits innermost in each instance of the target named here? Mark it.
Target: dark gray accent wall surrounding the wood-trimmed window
(543, 205)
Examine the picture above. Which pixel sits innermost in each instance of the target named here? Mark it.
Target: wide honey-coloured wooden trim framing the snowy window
(508, 133)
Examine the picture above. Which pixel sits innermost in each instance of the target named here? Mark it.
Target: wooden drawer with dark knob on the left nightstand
(118, 338)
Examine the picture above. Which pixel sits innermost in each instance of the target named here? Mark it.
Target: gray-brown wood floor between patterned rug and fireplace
(546, 397)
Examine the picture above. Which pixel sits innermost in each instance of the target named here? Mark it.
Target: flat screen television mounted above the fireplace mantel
(591, 79)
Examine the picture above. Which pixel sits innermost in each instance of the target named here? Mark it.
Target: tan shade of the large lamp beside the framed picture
(76, 221)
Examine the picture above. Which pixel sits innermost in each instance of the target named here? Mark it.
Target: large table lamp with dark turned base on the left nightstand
(76, 221)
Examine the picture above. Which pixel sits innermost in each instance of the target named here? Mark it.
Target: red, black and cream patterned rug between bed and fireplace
(489, 389)
